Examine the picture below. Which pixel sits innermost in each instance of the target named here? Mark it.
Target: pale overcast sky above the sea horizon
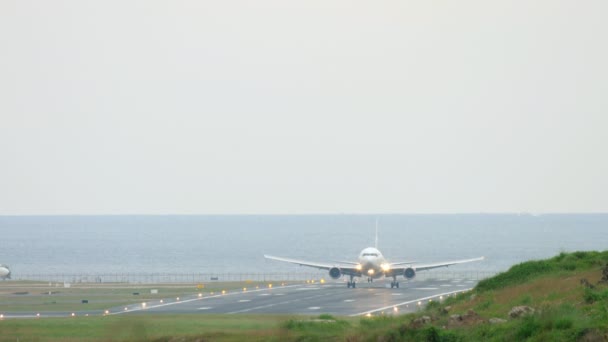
(298, 107)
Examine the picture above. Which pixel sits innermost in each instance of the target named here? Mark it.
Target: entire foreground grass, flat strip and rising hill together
(565, 310)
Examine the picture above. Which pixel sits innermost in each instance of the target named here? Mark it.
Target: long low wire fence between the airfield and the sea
(157, 278)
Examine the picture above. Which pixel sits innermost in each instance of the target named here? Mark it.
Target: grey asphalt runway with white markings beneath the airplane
(308, 299)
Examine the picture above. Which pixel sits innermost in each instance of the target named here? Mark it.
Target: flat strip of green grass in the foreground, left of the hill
(185, 327)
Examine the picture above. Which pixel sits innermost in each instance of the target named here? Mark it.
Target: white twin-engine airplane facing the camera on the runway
(372, 264)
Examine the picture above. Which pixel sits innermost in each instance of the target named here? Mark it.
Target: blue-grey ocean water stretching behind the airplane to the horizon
(236, 244)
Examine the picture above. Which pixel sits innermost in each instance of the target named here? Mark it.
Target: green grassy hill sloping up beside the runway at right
(566, 293)
